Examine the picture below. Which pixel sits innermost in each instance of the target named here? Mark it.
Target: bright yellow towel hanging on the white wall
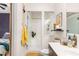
(24, 40)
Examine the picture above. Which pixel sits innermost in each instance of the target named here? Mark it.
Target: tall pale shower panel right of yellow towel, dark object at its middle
(35, 27)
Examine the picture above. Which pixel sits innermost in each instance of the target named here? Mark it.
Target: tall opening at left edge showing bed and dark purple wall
(5, 29)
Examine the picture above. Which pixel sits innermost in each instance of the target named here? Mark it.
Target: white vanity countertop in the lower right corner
(62, 50)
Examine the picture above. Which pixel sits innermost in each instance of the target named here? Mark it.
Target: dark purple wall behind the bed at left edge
(4, 23)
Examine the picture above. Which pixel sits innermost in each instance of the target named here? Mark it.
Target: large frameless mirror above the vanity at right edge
(72, 23)
